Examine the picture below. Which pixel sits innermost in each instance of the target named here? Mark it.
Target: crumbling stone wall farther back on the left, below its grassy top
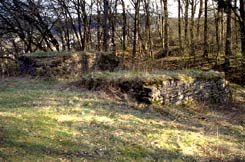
(74, 64)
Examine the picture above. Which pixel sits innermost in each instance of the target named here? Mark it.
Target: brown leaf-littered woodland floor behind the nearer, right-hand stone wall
(235, 73)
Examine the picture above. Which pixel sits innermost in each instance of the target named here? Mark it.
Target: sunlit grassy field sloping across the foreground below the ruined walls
(49, 121)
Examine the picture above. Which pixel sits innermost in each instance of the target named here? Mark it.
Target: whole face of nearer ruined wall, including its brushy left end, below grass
(168, 89)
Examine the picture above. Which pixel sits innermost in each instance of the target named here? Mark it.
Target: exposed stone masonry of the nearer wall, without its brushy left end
(179, 92)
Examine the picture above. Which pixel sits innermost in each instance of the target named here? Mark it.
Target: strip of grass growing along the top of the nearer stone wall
(188, 75)
